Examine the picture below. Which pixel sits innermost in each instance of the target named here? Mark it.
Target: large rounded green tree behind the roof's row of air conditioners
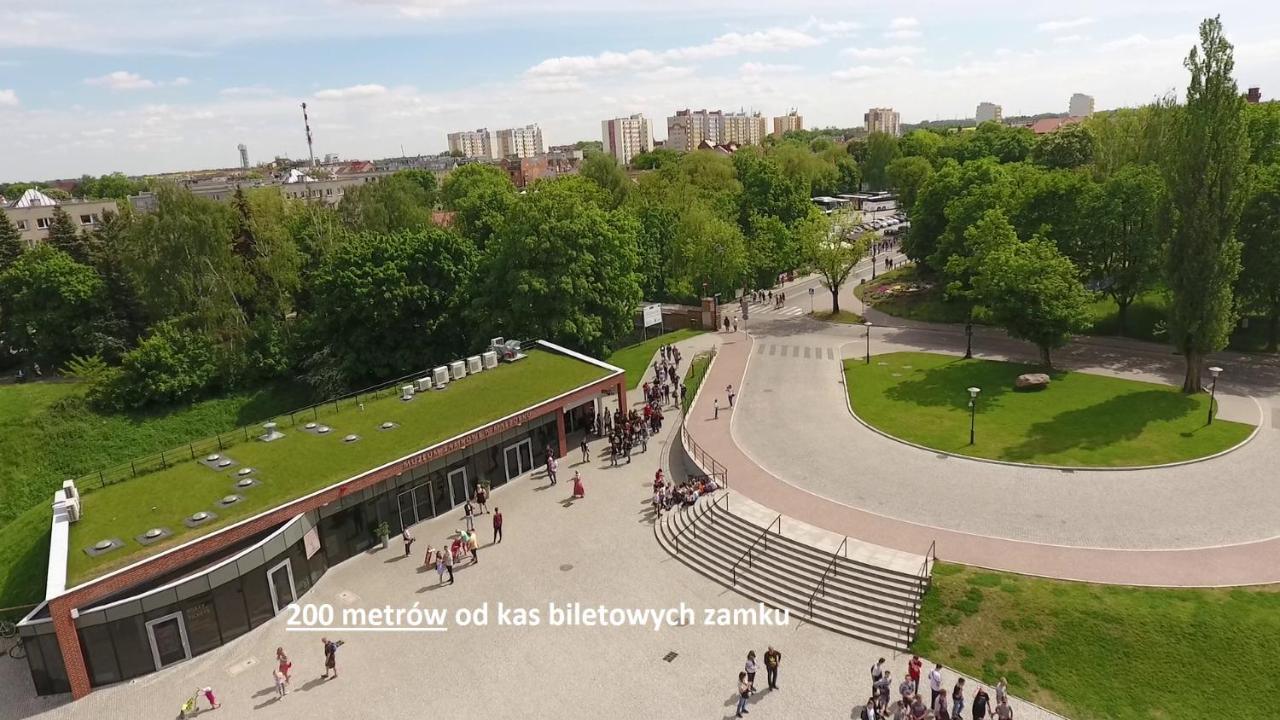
(564, 268)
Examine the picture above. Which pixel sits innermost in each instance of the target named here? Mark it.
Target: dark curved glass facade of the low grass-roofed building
(125, 640)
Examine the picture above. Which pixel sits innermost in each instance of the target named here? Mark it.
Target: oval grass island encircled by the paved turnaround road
(1080, 421)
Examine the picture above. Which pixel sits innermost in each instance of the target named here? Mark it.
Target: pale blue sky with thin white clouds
(144, 86)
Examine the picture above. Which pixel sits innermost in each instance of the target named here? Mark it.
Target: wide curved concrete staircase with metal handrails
(857, 599)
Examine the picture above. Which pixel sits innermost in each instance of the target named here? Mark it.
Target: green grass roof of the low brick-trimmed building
(303, 463)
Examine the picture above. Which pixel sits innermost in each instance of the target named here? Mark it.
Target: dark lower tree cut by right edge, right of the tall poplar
(1260, 236)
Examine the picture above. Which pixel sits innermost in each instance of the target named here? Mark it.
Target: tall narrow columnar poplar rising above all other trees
(1206, 168)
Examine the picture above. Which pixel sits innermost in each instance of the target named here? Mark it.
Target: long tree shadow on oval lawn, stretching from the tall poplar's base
(1119, 420)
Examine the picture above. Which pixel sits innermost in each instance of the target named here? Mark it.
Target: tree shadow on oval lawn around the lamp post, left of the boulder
(947, 385)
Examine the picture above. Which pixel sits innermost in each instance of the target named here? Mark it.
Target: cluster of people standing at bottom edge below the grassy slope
(943, 705)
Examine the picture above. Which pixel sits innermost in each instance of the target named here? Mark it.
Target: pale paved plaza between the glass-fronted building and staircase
(600, 550)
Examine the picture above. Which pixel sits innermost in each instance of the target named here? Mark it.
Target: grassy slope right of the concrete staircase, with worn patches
(1104, 653)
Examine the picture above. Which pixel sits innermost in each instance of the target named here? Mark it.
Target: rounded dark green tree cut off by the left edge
(51, 306)
